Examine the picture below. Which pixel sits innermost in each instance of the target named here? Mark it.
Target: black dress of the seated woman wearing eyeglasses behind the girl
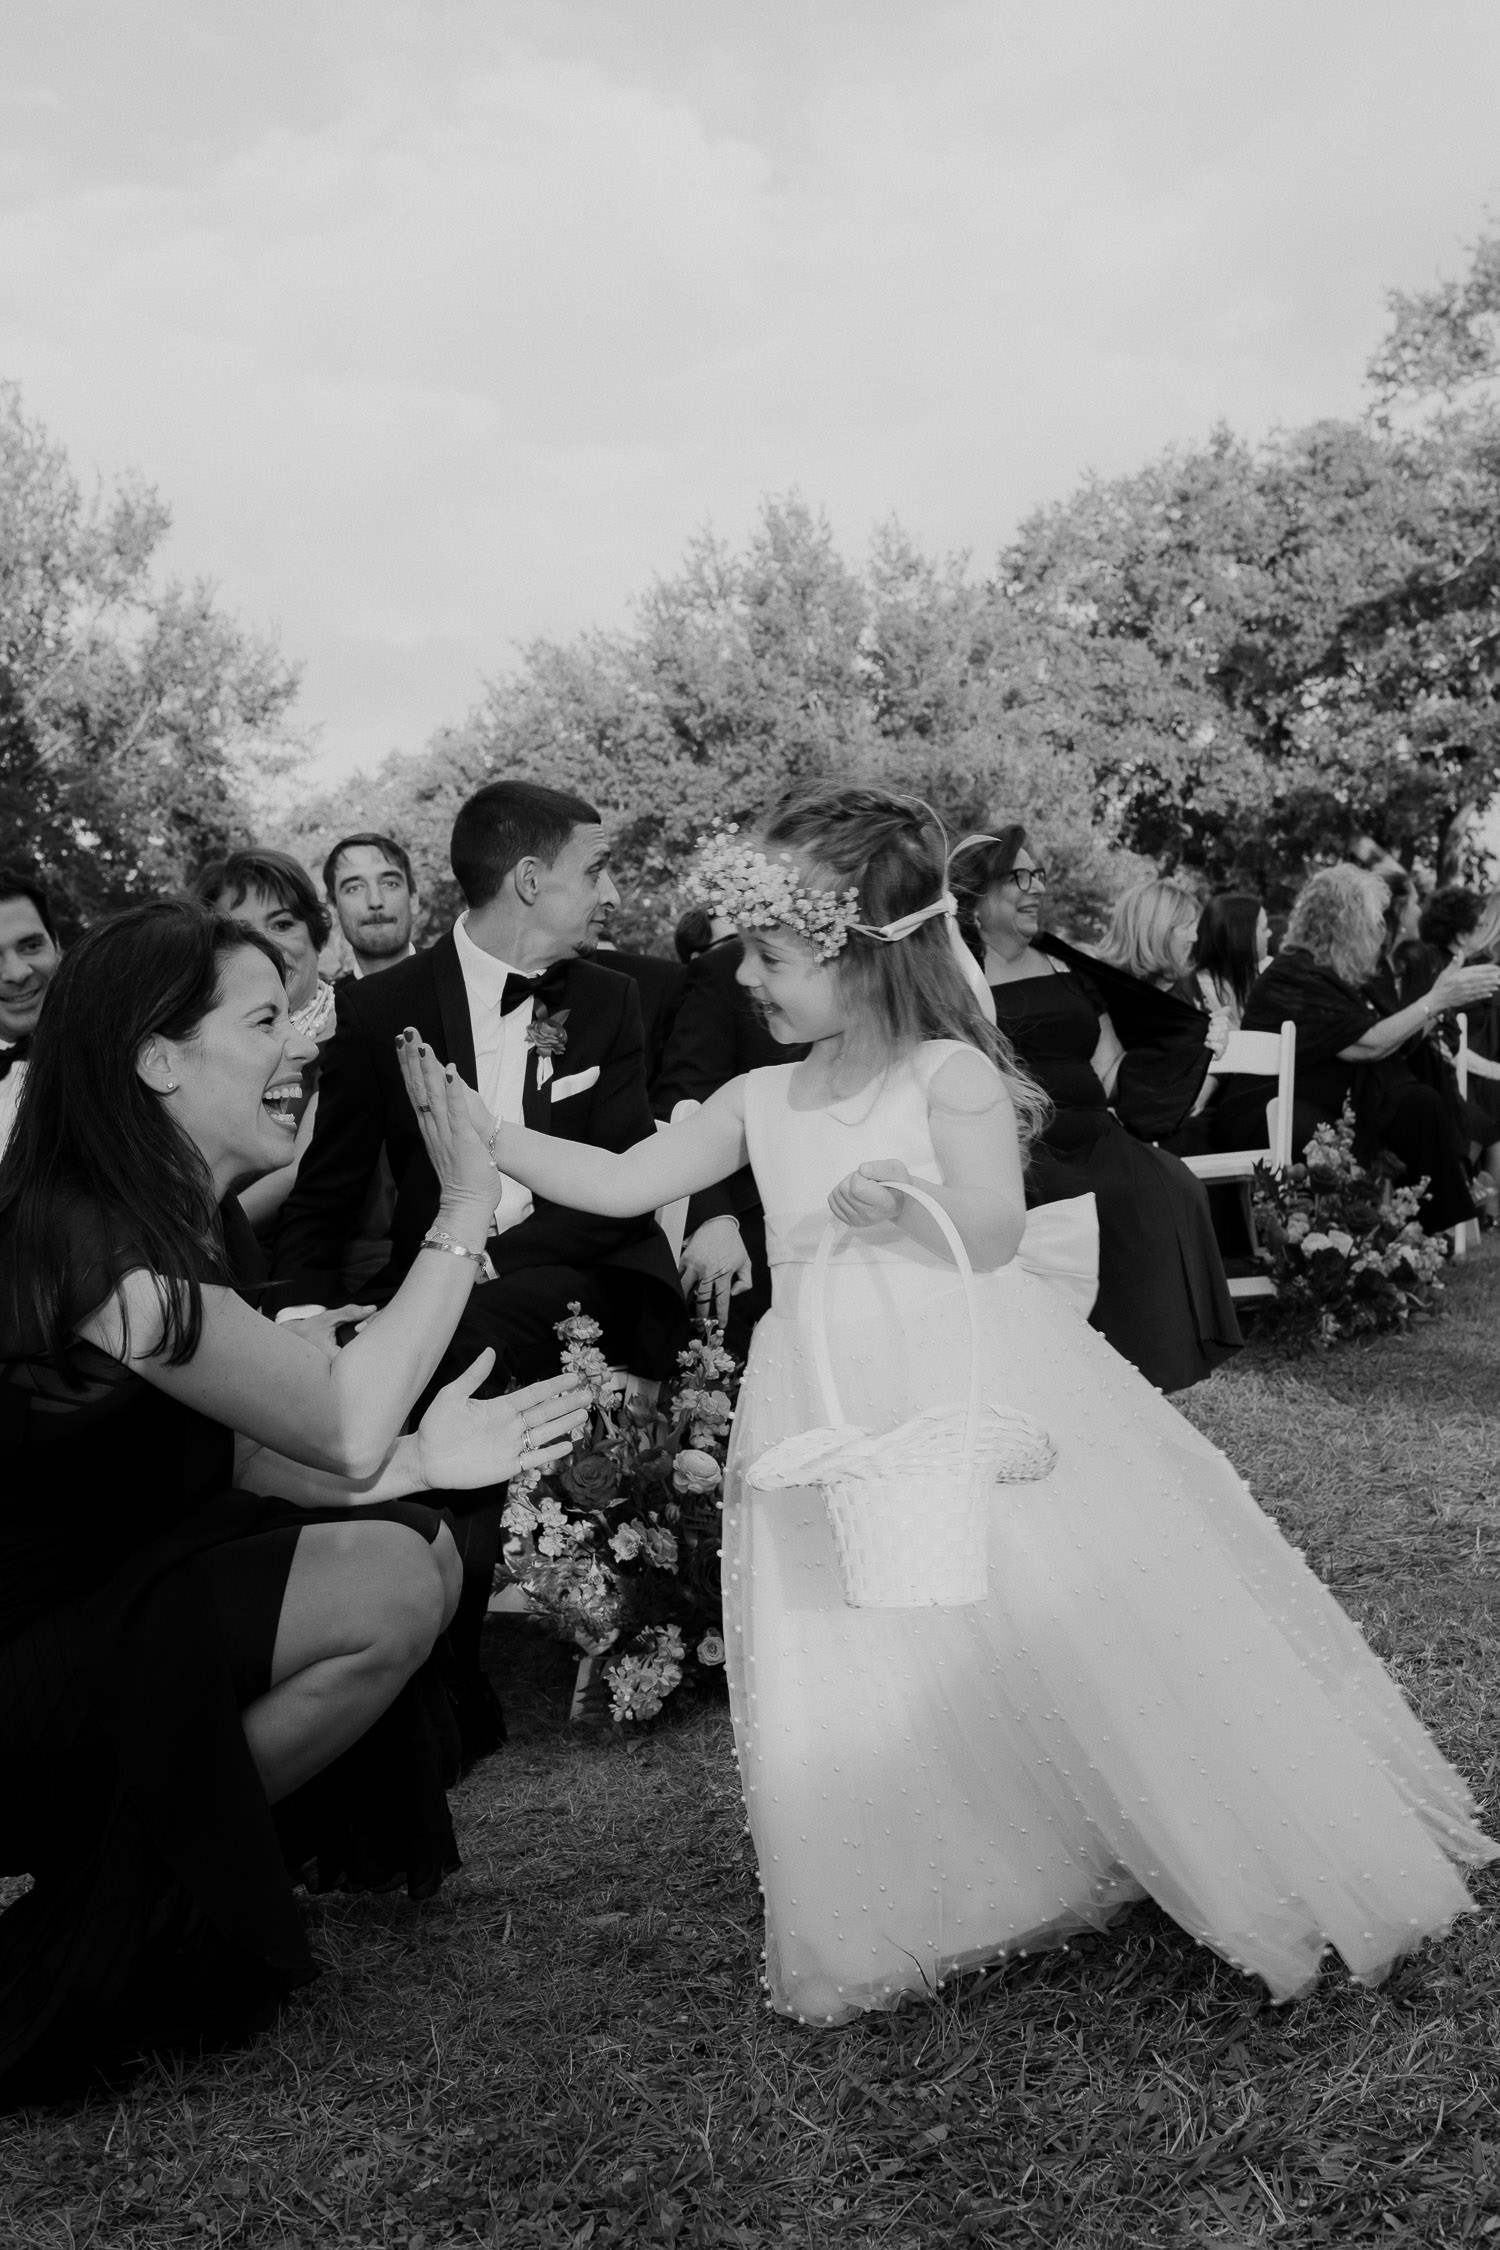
(1164, 1299)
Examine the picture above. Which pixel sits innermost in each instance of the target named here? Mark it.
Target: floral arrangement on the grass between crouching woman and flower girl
(617, 1549)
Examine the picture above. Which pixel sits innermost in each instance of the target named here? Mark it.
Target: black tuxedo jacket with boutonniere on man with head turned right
(363, 1108)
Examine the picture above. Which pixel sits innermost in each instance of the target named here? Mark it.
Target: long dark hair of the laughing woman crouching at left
(98, 1176)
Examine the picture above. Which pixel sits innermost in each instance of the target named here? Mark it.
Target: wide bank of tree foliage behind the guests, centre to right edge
(1236, 663)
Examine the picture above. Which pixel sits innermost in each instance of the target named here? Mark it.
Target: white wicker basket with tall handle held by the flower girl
(907, 1506)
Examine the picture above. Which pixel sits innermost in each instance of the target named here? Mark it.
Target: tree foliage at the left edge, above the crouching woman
(136, 719)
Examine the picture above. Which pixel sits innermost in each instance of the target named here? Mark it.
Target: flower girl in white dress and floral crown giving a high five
(1157, 1695)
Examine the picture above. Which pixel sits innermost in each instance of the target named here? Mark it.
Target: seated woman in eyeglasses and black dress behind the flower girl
(1164, 1299)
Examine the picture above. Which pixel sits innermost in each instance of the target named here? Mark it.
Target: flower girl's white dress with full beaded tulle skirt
(1157, 1695)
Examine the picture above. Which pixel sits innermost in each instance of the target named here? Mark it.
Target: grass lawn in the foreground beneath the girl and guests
(570, 2046)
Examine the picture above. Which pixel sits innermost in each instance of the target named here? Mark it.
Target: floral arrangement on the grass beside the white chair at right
(1344, 1248)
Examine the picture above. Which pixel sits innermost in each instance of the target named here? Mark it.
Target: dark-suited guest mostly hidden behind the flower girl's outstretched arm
(719, 1034)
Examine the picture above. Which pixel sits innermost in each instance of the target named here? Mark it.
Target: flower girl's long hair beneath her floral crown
(894, 854)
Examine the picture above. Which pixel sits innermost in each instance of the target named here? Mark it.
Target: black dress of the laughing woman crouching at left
(138, 1617)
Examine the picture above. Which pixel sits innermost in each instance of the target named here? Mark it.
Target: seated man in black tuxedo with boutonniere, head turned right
(550, 1041)
